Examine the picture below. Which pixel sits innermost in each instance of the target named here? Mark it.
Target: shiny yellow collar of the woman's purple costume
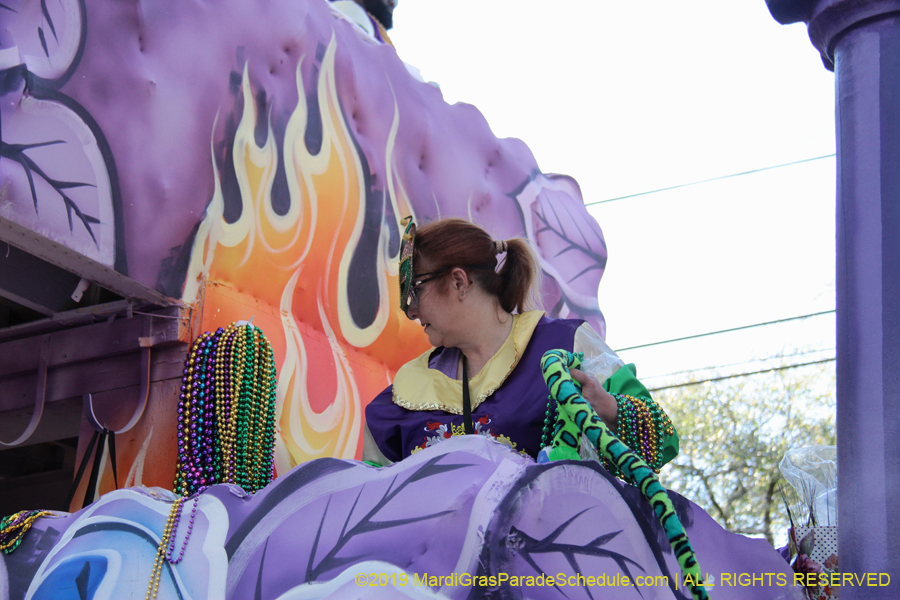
(416, 387)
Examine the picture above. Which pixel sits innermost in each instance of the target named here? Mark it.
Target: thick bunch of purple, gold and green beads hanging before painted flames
(226, 411)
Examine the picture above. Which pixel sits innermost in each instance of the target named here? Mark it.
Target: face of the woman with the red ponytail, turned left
(436, 307)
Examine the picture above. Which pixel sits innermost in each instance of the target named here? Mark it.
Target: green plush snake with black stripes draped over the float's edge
(576, 417)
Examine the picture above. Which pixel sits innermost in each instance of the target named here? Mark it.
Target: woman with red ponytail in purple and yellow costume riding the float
(483, 375)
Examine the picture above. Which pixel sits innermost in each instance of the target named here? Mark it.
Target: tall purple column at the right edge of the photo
(860, 40)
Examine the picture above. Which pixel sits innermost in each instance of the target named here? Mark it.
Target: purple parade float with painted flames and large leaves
(195, 194)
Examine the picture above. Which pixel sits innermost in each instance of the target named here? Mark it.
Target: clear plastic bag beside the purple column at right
(812, 472)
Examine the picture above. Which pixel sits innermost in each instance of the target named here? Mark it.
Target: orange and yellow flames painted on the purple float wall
(290, 272)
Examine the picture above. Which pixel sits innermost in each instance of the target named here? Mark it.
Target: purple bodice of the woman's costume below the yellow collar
(516, 410)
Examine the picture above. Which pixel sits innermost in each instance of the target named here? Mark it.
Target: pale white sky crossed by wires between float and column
(632, 97)
